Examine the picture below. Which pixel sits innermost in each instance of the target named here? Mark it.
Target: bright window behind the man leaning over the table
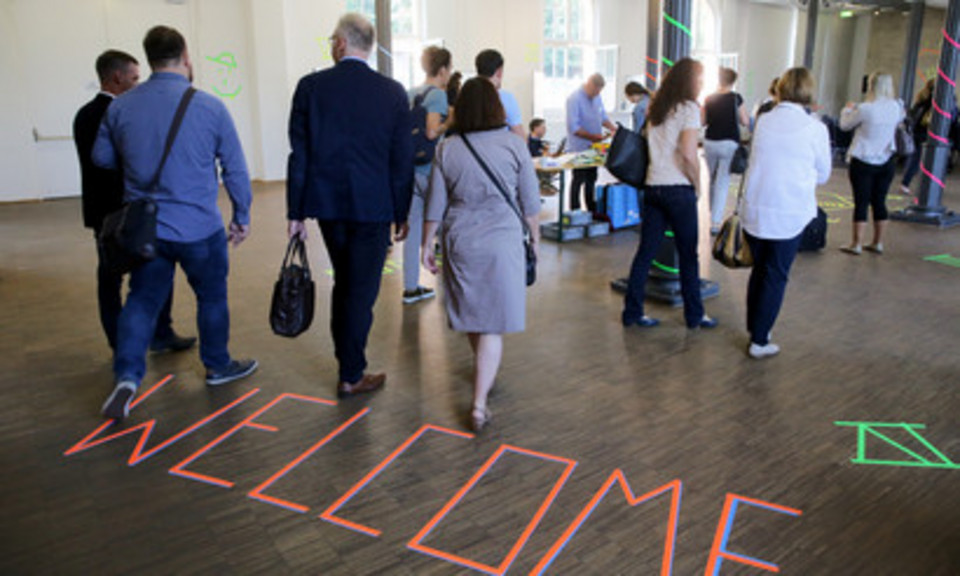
(570, 54)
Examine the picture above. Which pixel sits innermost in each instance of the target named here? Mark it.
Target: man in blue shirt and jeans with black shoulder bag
(189, 225)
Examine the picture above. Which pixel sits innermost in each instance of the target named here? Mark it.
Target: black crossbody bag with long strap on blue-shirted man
(128, 237)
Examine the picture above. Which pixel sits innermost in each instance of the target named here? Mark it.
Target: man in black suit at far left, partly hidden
(103, 193)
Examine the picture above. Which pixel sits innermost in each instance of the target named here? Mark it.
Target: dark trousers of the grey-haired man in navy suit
(358, 252)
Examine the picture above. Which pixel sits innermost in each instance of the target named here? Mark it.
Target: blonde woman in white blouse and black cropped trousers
(871, 158)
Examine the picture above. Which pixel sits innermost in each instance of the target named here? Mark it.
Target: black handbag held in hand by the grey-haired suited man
(291, 308)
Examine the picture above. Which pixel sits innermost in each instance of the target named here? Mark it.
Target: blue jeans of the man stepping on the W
(206, 265)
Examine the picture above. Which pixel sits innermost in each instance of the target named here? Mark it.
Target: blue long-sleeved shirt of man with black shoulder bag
(133, 134)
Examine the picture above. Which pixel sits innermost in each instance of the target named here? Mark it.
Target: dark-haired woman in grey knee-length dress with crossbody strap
(484, 272)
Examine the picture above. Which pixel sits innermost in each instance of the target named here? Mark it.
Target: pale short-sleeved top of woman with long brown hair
(664, 141)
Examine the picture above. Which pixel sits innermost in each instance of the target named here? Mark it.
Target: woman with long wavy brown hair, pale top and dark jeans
(670, 196)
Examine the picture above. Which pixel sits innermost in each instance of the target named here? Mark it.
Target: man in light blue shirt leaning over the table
(586, 120)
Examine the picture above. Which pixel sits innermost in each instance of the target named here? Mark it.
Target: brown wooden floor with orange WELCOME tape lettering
(662, 414)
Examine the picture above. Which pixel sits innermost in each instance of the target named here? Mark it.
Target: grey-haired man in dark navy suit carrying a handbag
(351, 168)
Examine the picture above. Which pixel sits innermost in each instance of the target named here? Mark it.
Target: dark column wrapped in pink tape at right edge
(936, 152)
